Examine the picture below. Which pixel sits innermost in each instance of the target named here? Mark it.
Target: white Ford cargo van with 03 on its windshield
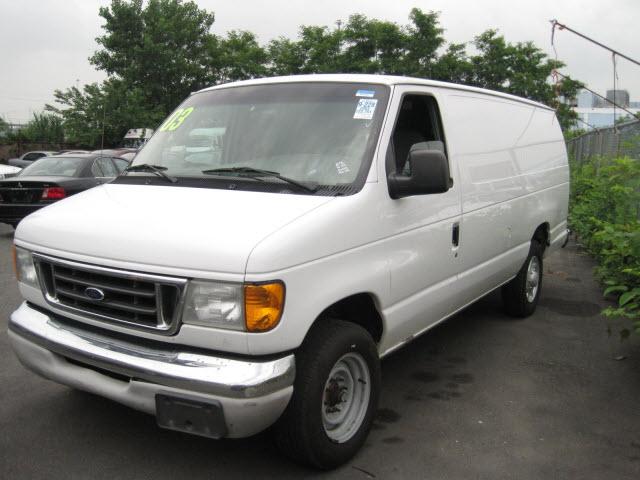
(259, 282)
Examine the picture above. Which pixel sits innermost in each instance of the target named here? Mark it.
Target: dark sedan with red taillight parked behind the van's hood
(51, 179)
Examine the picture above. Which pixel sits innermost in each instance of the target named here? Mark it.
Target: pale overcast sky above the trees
(44, 44)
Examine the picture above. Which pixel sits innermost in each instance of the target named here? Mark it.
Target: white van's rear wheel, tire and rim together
(520, 296)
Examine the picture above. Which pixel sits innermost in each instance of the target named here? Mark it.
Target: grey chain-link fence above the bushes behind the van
(621, 140)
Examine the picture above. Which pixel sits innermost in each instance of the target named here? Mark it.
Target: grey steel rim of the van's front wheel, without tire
(345, 398)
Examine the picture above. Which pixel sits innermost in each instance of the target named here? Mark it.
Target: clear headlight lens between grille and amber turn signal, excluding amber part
(214, 304)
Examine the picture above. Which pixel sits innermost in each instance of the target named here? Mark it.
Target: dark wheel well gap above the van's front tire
(359, 309)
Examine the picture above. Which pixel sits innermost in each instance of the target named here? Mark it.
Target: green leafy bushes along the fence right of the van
(605, 212)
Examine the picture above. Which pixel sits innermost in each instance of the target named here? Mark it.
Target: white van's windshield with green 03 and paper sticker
(314, 133)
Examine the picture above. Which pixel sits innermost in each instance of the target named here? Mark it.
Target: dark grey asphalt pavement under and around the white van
(482, 396)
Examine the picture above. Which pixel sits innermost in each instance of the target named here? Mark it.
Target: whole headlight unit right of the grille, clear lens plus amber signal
(233, 306)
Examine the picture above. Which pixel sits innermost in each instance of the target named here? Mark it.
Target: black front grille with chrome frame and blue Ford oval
(138, 300)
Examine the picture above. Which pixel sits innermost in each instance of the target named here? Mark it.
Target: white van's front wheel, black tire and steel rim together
(335, 396)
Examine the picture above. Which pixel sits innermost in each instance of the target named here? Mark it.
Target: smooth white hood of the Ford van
(190, 228)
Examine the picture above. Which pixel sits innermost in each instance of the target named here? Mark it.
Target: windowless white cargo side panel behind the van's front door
(514, 175)
